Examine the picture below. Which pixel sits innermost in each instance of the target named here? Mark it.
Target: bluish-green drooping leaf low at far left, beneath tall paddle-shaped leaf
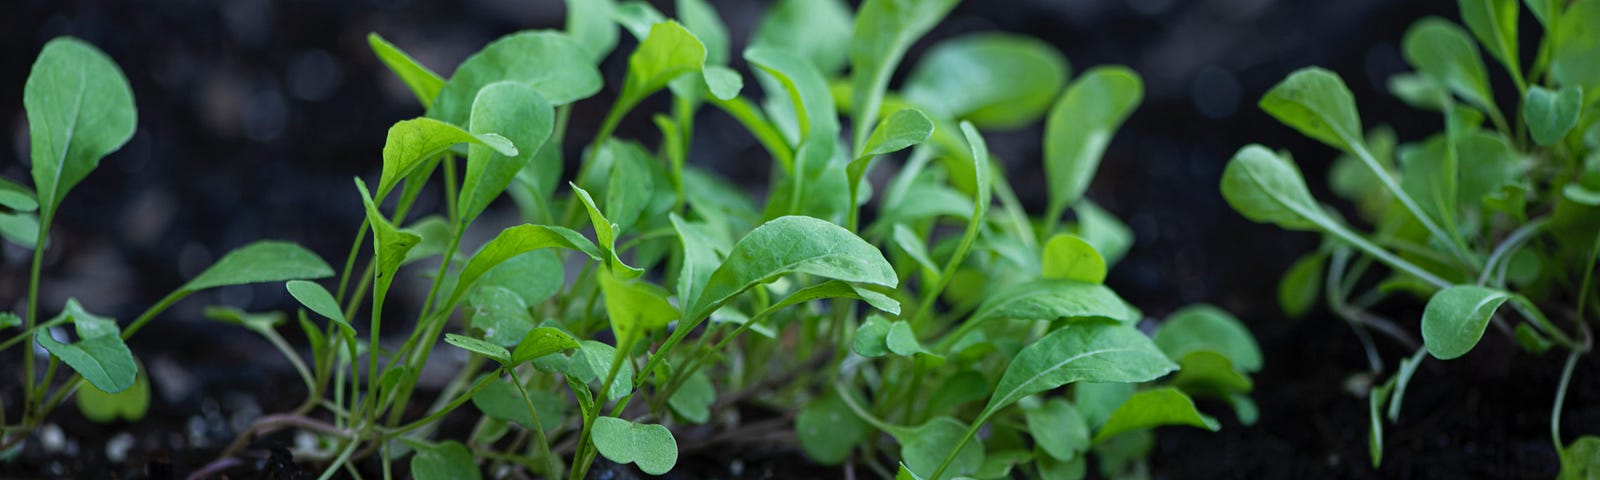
(100, 354)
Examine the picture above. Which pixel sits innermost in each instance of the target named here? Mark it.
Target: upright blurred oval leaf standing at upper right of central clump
(1081, 126)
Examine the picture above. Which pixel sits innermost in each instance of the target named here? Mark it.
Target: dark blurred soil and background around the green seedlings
(255, 114)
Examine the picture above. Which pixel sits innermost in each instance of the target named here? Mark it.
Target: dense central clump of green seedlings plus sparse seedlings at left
(942, 334)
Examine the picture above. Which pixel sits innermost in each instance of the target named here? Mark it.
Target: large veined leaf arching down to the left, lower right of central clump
(1092, 351)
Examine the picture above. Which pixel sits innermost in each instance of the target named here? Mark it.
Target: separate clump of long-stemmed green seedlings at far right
(1492, 218)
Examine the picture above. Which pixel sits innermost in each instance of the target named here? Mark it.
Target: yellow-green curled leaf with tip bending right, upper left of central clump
(414, 142)
